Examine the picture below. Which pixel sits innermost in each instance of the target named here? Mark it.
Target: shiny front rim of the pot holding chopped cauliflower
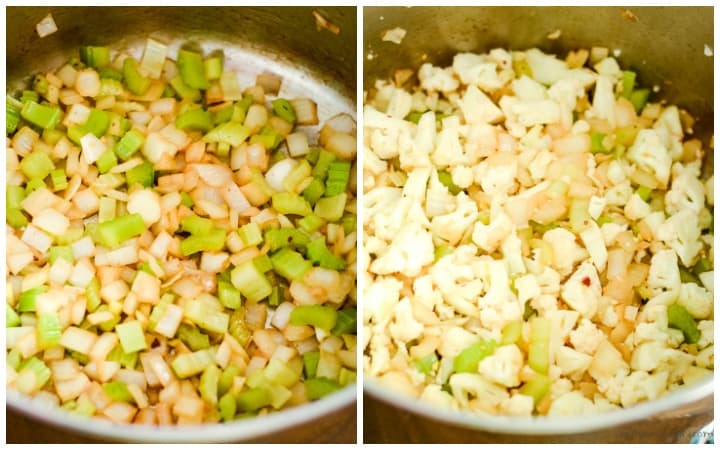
(544, 425)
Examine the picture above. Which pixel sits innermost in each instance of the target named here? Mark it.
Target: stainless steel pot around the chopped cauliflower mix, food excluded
(666, 46)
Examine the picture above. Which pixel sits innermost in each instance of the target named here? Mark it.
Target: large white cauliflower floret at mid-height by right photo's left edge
(408, 253)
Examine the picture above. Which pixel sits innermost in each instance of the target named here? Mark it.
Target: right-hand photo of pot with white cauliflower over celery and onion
(537, 224)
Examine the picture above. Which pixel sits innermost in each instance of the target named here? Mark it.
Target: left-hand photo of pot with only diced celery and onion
(181, 224)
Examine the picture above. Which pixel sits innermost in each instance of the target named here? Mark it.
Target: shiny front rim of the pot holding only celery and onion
(239, 430)
